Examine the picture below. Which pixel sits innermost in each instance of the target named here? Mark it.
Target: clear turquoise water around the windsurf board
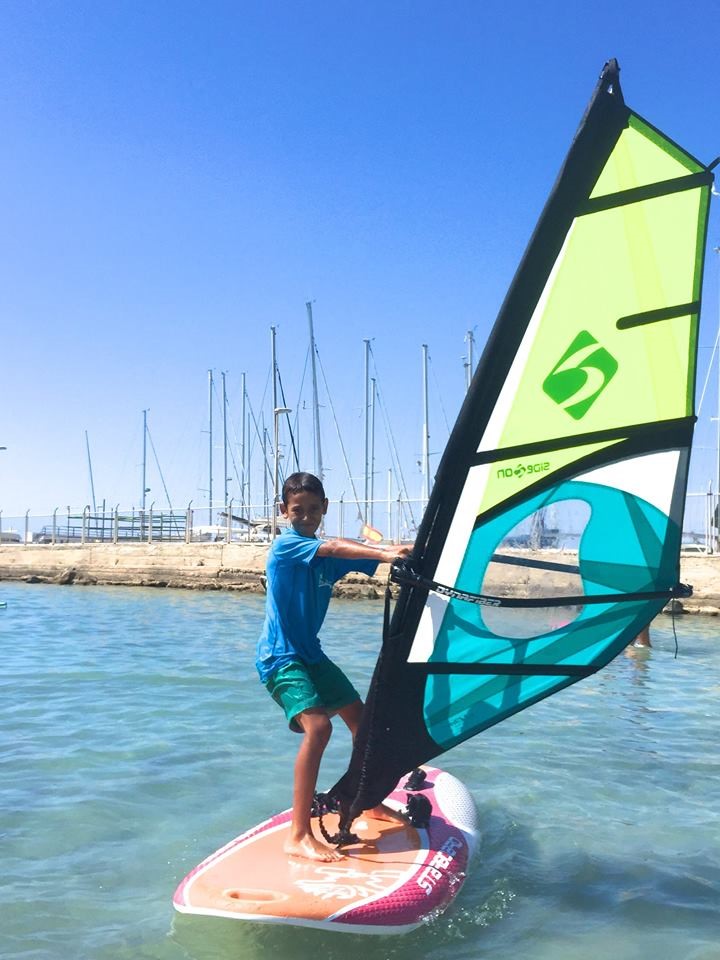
(135, 739)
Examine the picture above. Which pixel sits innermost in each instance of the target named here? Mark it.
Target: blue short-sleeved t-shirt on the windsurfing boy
(299, 586)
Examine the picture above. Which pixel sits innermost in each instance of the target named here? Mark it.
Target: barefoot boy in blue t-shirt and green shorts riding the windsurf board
(307, 685)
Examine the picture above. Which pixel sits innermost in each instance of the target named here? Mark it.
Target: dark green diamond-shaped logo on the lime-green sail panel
(581, 375)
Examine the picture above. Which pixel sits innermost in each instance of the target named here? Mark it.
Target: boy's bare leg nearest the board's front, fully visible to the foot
(316, 728)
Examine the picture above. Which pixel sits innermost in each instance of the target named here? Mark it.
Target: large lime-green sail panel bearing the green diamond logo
(577, 371)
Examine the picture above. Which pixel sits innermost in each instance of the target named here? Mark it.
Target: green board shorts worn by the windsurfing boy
(303, 686)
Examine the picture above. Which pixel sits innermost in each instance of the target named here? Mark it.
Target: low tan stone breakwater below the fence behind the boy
(241, 567)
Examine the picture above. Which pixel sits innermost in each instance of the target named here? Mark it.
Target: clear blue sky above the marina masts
(176, 178)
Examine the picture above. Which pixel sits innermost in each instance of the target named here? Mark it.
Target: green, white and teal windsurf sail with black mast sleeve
(582, 404)
